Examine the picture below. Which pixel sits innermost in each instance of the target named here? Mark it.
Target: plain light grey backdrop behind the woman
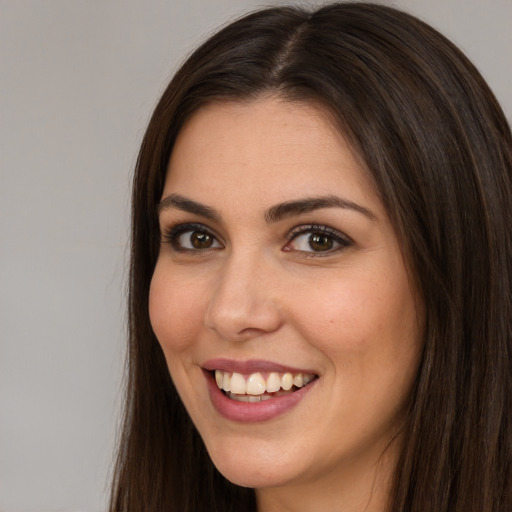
(78, 82)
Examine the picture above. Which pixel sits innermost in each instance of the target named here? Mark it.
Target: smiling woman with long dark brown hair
(320, 297)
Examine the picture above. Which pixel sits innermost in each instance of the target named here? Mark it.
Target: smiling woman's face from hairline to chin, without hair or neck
(279, 267)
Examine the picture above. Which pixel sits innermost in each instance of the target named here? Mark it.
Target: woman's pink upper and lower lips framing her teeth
(251, 412)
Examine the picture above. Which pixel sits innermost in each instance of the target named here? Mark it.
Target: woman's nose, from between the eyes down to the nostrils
(244, 302)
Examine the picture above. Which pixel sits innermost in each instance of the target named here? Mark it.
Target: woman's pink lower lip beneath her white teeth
(247, 412)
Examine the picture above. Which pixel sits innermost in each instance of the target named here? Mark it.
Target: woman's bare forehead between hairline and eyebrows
(269, 146)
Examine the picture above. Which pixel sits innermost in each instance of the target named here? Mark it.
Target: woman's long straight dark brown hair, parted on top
(438, 148)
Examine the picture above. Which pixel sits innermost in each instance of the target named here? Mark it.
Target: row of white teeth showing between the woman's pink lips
(257, 387)
